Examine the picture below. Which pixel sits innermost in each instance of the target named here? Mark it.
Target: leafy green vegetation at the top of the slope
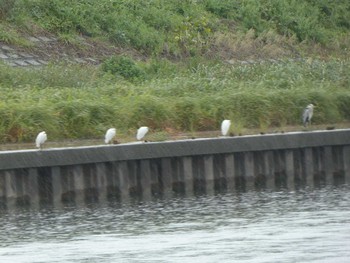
(181, 28)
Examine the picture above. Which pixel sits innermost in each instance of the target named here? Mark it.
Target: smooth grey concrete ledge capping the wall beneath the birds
(135, 151)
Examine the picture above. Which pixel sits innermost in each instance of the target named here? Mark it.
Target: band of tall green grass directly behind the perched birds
(76, 102)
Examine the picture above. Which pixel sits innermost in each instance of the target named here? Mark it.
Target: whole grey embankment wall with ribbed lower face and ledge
(161, 168)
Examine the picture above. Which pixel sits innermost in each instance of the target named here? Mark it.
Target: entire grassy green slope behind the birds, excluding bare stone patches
(181, 83)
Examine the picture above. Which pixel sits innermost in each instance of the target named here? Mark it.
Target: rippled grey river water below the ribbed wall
(309, 225)
